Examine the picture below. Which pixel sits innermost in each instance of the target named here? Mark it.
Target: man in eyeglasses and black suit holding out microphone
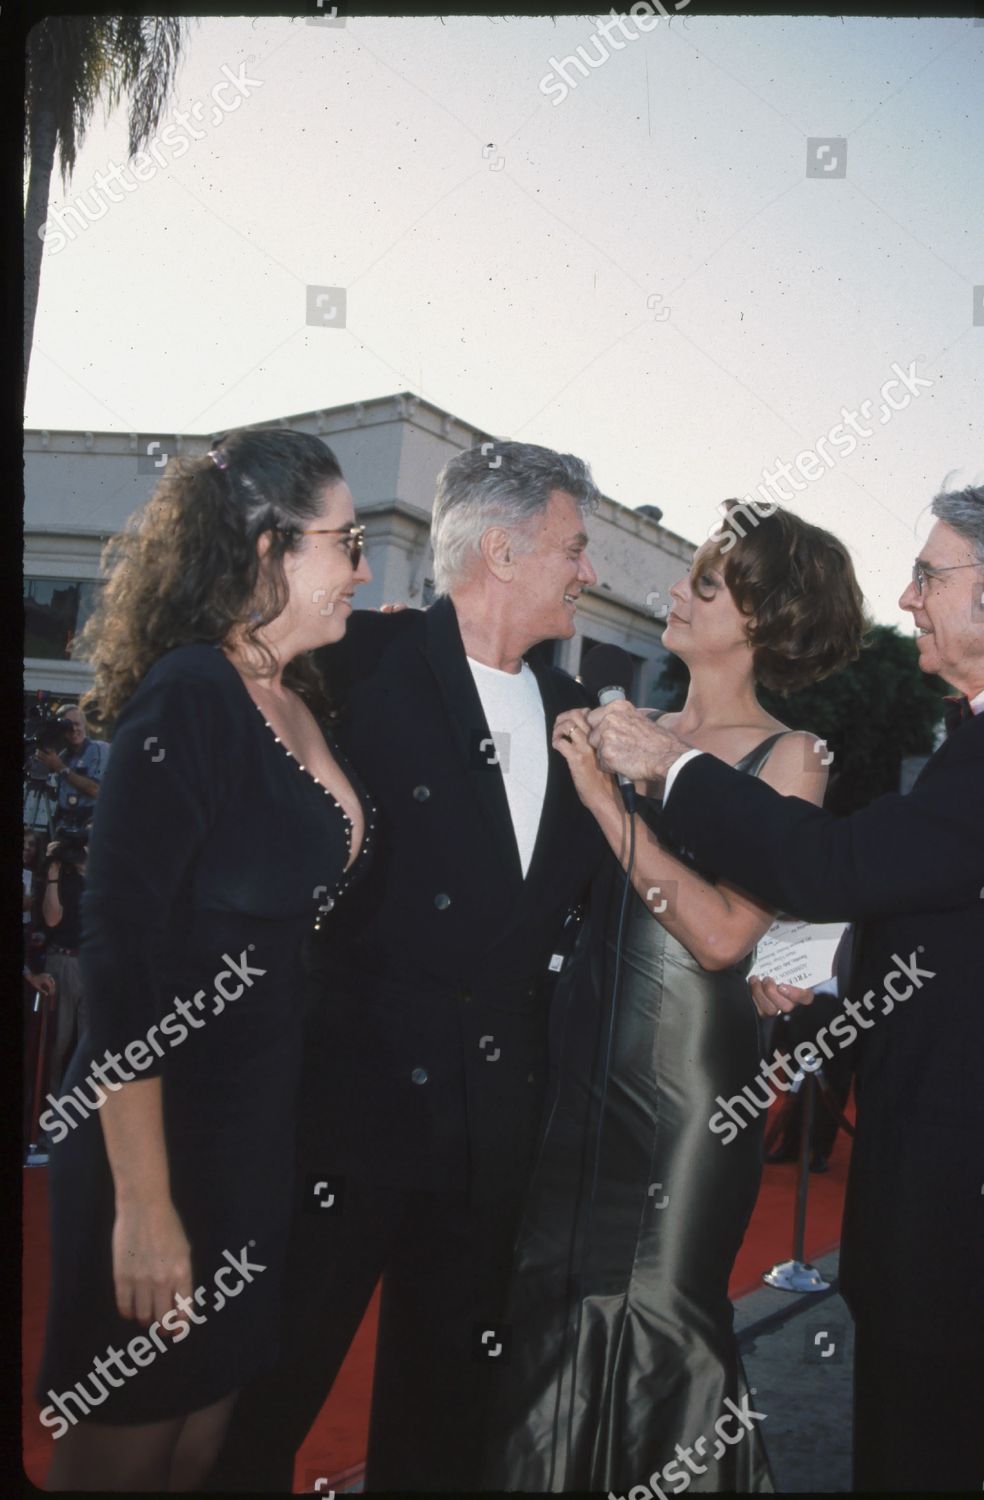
(911, 872)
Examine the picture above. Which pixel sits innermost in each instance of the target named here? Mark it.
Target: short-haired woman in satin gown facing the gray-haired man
(623, 1352)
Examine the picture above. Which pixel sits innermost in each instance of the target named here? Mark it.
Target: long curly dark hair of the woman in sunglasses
(185, 569)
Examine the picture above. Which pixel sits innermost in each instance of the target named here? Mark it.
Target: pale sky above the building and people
(641, 272)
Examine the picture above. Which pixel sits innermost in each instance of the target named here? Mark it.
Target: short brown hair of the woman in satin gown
(797, 586)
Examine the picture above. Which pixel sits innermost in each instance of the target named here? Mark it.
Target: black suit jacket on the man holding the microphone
(911, 872)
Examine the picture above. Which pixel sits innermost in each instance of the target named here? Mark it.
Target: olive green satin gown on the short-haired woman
(622, 1342)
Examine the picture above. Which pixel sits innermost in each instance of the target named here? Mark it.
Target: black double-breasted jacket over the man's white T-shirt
(431, 980)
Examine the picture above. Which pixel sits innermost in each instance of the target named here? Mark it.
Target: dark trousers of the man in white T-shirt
(446, 1268)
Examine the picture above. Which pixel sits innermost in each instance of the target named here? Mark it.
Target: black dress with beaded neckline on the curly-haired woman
(212, 853)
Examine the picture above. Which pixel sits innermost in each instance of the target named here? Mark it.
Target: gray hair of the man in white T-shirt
(499, 485)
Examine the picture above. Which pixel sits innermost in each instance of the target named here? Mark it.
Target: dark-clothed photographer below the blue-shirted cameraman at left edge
(64, 880)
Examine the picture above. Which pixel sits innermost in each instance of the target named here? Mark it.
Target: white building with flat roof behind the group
(82, 487)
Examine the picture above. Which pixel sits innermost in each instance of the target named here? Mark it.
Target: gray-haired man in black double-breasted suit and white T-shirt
(428, 1054)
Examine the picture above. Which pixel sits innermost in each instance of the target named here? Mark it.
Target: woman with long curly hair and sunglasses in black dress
(227, 826)
